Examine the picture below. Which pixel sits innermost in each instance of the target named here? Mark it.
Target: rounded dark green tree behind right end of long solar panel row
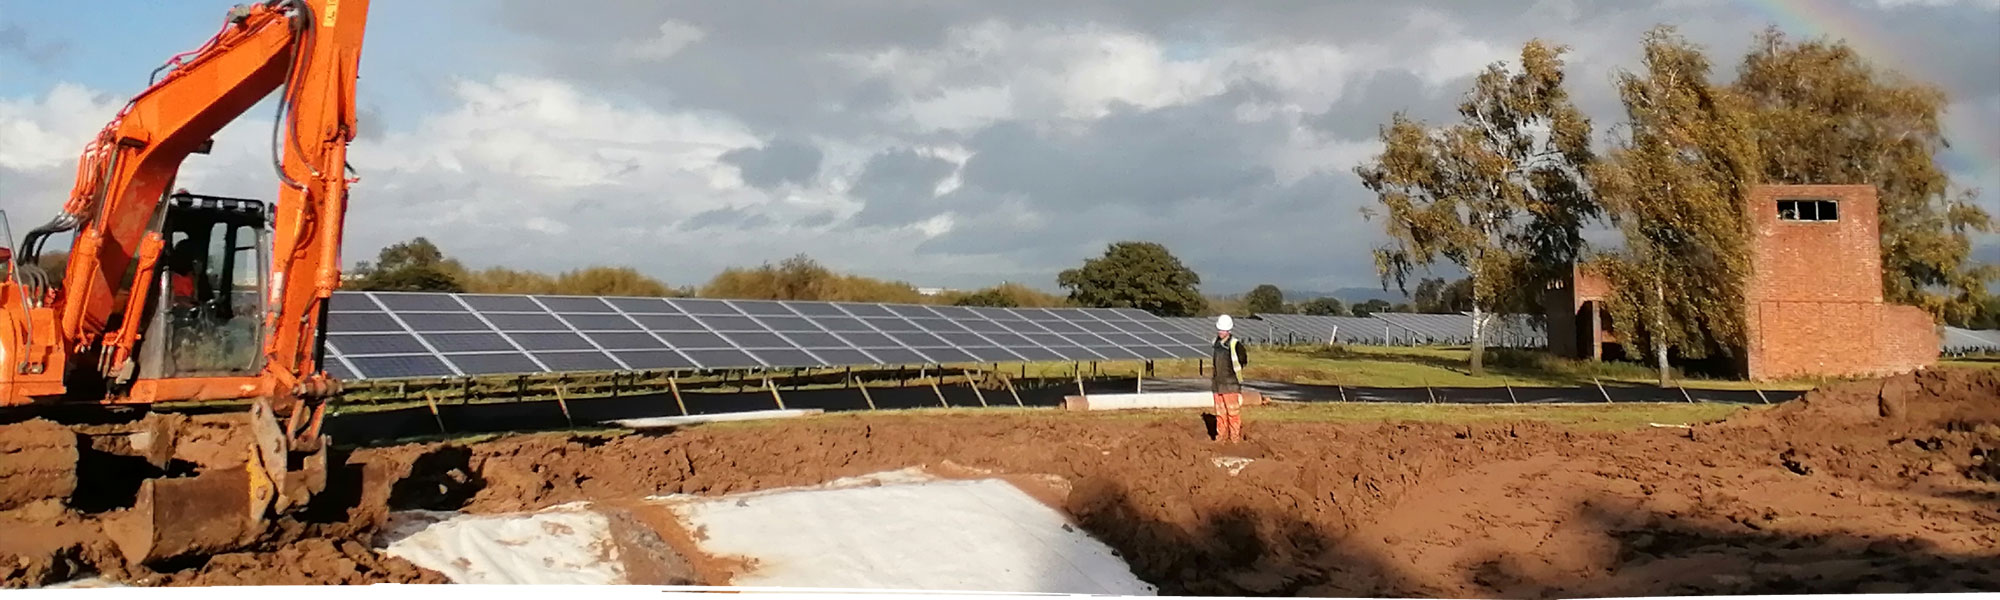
(1135, 275)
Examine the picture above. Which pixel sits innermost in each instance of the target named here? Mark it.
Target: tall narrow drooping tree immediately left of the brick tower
(1677, 185)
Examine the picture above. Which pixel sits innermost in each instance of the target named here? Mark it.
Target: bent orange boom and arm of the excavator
(307, 53)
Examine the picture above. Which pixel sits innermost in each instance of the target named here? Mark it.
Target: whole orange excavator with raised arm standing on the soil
(169, 377)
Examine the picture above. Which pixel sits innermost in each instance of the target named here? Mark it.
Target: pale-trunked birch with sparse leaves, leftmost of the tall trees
(1501, 193)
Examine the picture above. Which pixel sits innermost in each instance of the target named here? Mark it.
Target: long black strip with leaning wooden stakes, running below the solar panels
(377, 427)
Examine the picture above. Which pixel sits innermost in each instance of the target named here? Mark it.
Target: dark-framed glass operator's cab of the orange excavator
(211, 287)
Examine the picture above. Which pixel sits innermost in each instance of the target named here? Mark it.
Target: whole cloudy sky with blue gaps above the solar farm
(937, 143)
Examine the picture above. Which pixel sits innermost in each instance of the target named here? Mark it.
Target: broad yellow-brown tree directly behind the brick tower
(1827, 117)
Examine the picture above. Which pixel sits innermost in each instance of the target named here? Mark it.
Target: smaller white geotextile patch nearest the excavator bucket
(561, 545)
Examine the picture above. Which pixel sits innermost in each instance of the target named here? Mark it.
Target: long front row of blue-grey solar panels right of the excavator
(407, 335)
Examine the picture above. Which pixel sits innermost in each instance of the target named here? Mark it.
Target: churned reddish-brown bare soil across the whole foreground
(1875, 487)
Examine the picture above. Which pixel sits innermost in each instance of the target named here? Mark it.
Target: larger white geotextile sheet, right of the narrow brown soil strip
(907, 531)
